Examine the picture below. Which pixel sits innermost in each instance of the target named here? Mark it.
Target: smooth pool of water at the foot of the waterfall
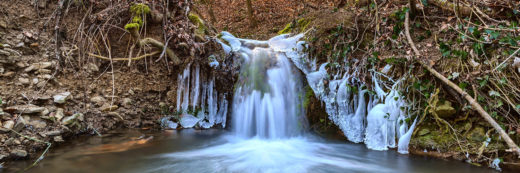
(220, 151)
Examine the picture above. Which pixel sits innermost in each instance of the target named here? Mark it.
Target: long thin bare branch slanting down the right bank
(513, 147)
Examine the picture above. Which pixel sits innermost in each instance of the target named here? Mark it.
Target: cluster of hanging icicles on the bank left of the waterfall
(198, 101)
